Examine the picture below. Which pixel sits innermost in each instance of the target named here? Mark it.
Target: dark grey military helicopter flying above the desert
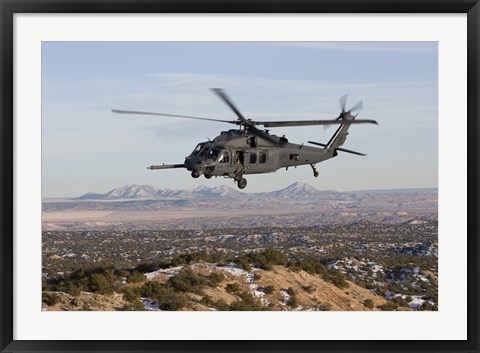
(250, 150)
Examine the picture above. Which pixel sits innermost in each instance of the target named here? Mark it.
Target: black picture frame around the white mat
(10, 7)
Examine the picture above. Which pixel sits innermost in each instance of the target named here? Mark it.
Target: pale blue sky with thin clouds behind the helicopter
(87, 148)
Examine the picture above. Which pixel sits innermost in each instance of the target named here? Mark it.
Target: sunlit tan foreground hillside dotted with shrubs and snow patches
(269, 290)
